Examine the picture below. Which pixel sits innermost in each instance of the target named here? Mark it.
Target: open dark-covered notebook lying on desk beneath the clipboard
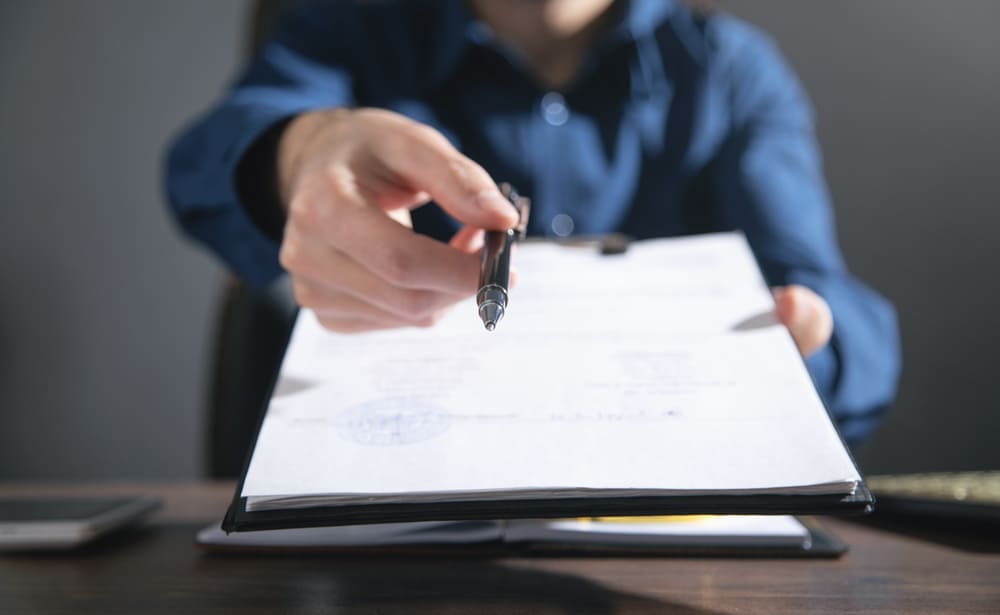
(639, 537)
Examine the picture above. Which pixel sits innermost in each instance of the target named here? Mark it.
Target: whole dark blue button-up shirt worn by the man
(676, 123)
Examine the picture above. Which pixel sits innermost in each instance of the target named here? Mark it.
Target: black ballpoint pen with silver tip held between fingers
(494, 268)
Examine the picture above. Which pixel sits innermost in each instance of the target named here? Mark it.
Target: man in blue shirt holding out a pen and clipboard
(360, 152)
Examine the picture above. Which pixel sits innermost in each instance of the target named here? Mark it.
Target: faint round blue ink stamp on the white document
(393, 421)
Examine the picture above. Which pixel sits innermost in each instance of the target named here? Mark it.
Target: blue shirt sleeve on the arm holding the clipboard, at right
(769, 184)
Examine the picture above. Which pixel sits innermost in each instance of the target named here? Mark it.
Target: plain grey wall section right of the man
(907, 94)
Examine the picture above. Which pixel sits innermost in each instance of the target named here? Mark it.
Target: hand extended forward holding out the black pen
(348, 179)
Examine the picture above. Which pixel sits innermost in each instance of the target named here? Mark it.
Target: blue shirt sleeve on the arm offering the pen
(306, 65)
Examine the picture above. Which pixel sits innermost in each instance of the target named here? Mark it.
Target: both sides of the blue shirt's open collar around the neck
(457, 29)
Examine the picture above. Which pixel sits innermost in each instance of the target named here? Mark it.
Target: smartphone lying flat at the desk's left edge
(66, 522)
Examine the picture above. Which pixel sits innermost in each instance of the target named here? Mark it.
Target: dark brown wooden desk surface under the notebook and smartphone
(159, 569)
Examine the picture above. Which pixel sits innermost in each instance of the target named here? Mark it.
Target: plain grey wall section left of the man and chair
(104, 310)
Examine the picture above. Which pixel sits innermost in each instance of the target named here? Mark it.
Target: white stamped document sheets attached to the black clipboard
(661, 371)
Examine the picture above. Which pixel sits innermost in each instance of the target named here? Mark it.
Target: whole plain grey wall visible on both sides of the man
(106, 313)
